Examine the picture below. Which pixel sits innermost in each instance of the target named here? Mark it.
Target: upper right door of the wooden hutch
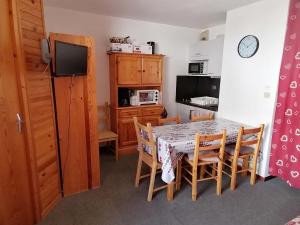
(152, 71)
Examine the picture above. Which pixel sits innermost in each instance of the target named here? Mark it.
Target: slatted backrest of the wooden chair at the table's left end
(145, 139)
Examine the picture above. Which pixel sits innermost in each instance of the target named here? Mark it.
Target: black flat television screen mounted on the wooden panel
(70, 59)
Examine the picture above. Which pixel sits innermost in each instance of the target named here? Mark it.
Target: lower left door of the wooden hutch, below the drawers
(127, 134)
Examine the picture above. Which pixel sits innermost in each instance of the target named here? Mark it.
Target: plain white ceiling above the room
(187, 13)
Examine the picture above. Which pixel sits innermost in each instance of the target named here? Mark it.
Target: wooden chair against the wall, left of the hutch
(105, 133)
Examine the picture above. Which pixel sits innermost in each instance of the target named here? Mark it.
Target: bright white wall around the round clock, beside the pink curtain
(245, 81)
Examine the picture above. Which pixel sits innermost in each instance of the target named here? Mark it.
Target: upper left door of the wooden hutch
(129, 70)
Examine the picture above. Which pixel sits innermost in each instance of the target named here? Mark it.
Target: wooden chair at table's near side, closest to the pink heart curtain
(246, 149)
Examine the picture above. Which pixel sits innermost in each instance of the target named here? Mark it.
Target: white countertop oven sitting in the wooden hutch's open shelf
(144, 97)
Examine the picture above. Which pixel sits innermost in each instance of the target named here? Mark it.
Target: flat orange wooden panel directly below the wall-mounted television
(69, 97)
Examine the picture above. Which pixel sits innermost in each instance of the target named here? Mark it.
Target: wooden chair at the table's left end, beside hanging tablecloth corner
(148, 155)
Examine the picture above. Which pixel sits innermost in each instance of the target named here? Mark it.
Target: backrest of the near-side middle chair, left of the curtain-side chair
(209, 146)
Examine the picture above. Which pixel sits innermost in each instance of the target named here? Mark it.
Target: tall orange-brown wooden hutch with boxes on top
(133, 72)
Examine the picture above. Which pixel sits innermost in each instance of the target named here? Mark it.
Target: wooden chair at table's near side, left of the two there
(209, 151)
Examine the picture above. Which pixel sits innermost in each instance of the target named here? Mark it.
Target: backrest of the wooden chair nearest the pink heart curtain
(249, 137)
